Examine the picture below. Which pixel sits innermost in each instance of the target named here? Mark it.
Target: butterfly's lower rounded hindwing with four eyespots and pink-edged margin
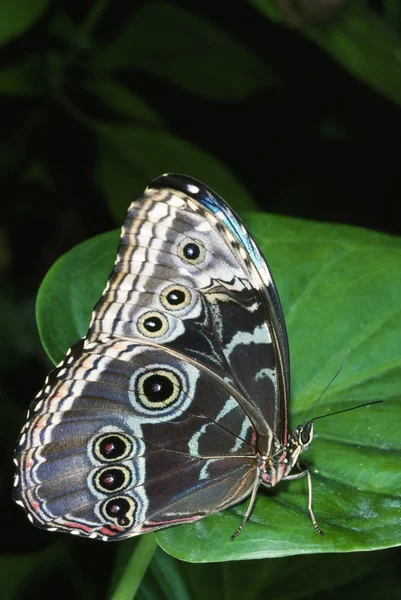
(117, 443)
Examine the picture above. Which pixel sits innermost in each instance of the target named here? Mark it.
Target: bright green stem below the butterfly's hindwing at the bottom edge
(135, 569)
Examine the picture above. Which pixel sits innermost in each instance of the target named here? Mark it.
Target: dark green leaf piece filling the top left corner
(17, 18)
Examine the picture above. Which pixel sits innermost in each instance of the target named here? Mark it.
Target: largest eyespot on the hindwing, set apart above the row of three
(158, 388)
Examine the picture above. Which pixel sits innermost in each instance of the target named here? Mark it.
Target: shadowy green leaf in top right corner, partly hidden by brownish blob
(360, 40)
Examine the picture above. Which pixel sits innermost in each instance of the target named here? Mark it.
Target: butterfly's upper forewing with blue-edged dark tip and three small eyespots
(229, 318)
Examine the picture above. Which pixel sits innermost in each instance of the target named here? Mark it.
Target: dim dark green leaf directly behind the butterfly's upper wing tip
(131, 156)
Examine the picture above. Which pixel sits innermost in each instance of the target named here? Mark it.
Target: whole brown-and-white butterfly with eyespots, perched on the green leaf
(175, 404)
